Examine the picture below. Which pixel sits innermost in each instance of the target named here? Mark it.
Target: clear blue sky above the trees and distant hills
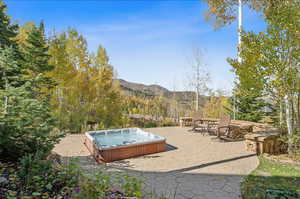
(149, 42)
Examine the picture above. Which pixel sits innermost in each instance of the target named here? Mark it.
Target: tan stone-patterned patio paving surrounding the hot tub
(194, 166)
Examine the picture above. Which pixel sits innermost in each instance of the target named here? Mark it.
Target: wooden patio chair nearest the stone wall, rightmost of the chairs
(223, 128)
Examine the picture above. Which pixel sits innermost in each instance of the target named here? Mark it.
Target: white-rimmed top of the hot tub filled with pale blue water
(121, 137)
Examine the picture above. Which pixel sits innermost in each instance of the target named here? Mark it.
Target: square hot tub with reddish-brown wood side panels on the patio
(118, 144)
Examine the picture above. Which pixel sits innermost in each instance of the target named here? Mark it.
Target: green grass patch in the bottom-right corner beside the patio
(272, 177)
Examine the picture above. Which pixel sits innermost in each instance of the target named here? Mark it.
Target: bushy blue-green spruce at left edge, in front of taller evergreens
(25, 122)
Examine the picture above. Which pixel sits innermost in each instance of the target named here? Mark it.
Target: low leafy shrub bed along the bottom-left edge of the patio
(36, 178)
